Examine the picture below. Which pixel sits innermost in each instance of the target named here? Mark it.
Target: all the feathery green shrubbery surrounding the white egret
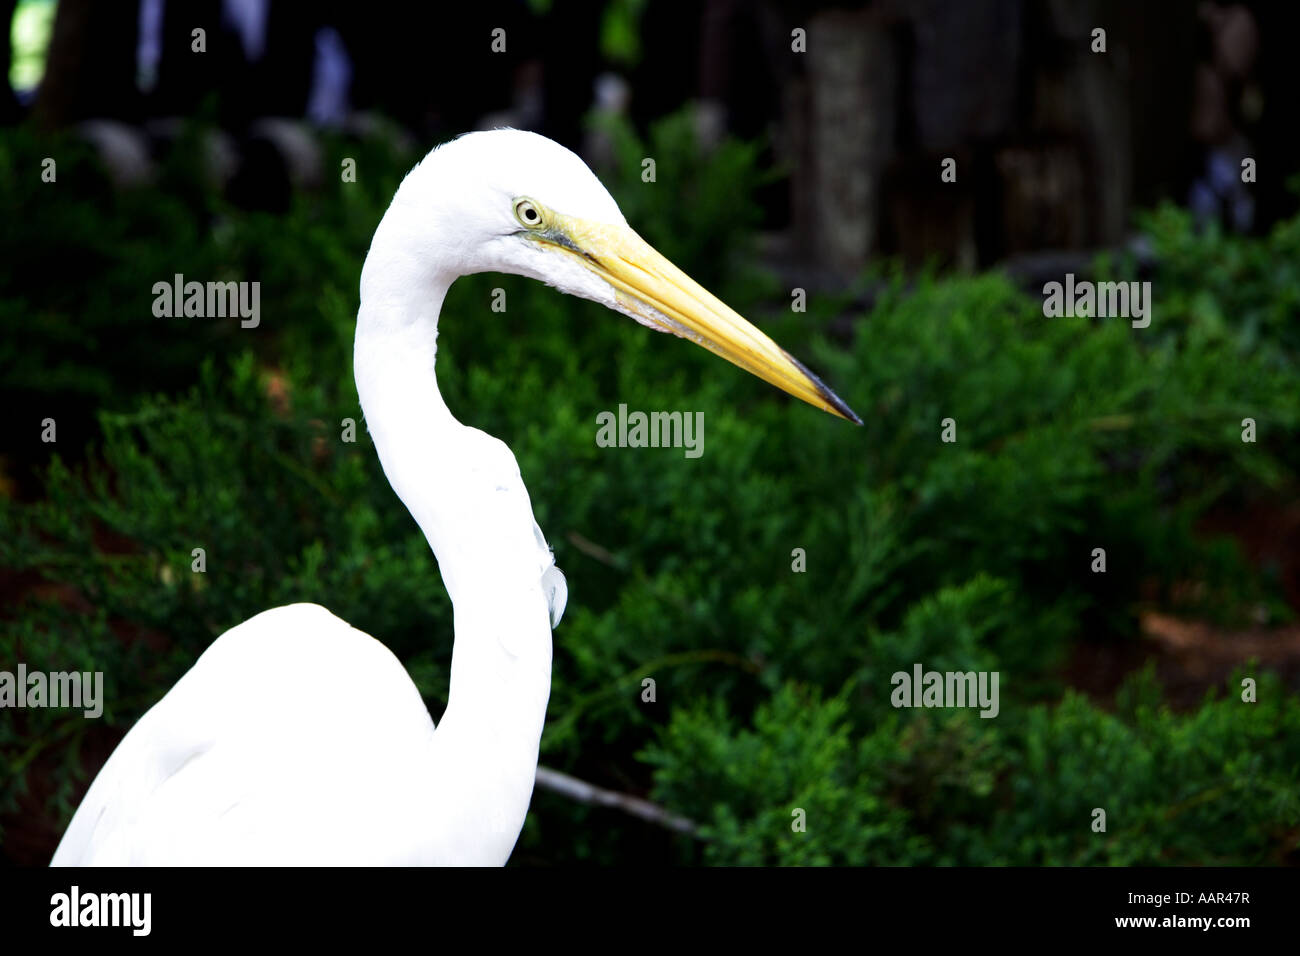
(773, 687)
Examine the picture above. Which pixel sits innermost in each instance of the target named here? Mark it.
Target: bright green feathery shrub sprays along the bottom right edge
(1215, 788)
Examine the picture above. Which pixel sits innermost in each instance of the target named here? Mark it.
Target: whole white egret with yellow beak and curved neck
(297, 739)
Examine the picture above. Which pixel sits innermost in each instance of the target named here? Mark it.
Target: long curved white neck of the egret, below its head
(484, 754)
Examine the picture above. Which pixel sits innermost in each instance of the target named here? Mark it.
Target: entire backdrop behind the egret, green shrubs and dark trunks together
(798, 146)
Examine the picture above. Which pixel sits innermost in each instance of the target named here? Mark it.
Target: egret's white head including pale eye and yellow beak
(508, 201)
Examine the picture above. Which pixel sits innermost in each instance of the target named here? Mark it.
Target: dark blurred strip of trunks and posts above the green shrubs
(1058, 146)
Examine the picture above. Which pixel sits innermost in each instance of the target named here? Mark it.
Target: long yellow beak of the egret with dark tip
(664, 296)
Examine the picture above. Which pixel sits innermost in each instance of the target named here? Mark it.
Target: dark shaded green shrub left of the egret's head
(79, 276)
